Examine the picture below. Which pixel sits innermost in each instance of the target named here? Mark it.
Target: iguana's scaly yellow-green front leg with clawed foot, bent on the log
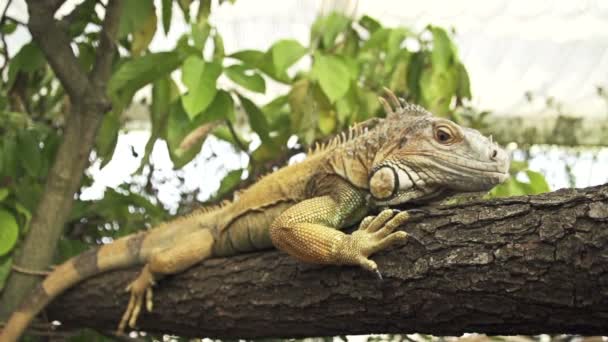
(308, 231)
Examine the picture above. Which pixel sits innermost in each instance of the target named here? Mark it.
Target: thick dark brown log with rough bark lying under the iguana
(522, 265)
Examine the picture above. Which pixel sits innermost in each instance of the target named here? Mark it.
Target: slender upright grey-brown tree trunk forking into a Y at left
(88, 104)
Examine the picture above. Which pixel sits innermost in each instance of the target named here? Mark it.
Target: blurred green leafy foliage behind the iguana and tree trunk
(330, 83)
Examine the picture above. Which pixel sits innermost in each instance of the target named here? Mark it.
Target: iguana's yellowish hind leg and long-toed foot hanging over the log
(188, 251)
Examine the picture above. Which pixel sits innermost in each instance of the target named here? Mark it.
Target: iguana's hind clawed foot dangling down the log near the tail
(140, 287)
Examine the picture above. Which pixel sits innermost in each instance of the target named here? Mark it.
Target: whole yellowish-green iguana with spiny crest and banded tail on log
(410, 157)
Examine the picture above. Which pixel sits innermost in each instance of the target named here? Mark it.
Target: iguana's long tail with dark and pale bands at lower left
(123, 253)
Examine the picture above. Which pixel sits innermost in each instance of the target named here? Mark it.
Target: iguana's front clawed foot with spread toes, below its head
(375, 233)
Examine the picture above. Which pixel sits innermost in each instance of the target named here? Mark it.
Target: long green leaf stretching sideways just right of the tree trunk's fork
(136, 73)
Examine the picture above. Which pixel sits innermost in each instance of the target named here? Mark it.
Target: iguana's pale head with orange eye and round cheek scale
(425, 157)
